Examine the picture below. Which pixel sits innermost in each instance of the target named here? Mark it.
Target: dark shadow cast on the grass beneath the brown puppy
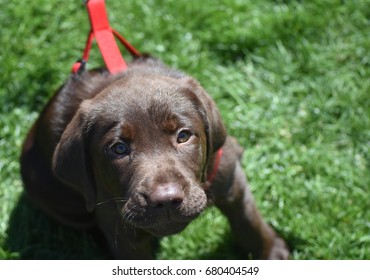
(32, 235)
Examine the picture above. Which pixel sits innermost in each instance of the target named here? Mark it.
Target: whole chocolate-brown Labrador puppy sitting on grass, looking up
(140, 155)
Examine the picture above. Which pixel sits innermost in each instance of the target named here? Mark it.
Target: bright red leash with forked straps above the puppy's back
(104, 35)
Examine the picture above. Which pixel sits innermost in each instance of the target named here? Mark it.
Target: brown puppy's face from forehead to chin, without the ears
(149, 150)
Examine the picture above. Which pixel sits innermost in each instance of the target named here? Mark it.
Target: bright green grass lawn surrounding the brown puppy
(292, 81)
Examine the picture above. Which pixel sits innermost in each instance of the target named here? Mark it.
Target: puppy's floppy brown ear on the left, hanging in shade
(71, 161)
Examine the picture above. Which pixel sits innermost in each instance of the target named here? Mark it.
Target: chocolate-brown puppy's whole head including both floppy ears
(145, 142)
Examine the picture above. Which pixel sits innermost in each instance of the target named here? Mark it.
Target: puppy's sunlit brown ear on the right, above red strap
(215, 129)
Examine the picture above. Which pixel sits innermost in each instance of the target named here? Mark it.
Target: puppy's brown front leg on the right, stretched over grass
(253, 236)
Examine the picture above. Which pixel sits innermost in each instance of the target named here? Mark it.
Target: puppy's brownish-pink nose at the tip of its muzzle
(166, 196)
